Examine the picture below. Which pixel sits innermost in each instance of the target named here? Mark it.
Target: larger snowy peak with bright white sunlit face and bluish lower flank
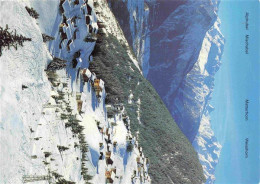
(191, 98)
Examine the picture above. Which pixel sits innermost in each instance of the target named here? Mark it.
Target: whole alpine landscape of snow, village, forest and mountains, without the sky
(97, 91)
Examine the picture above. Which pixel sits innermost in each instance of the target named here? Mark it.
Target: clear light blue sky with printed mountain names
(237, 80)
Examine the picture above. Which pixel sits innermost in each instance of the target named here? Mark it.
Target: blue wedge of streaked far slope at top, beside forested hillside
(133, 19)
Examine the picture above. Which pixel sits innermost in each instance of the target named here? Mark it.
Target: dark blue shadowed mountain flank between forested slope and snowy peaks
(177, 34)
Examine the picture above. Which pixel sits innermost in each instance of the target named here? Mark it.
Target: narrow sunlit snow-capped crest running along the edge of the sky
(208, 63)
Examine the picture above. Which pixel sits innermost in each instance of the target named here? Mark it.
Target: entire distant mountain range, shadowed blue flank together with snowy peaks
(192, 74)
